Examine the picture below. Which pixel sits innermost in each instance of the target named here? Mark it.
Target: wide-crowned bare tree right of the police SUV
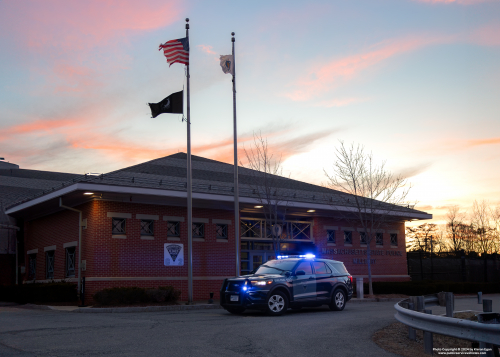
(372, 193)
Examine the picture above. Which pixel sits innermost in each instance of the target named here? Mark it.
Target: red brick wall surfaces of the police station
(132, 261)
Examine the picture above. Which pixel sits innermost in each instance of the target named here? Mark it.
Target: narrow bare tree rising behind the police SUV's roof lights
(267, 172)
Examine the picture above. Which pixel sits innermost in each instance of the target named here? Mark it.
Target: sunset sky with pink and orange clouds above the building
(417, 82)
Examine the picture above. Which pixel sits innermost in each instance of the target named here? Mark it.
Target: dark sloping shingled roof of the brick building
(211, 180)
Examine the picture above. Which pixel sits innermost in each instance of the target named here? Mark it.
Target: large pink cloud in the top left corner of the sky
(78, 25)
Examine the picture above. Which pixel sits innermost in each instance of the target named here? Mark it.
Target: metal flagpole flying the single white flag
(236, 188)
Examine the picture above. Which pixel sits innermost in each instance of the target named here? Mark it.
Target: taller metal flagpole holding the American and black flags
(189, 187)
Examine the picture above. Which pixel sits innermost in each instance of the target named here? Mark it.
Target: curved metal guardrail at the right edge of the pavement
(459, 328)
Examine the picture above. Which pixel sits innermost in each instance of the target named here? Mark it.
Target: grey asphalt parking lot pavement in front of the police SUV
(309, 332)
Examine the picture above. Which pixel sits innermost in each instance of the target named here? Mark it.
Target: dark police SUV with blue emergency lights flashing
(289, 282)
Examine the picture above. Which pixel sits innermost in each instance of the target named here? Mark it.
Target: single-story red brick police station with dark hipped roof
(134, 229)
